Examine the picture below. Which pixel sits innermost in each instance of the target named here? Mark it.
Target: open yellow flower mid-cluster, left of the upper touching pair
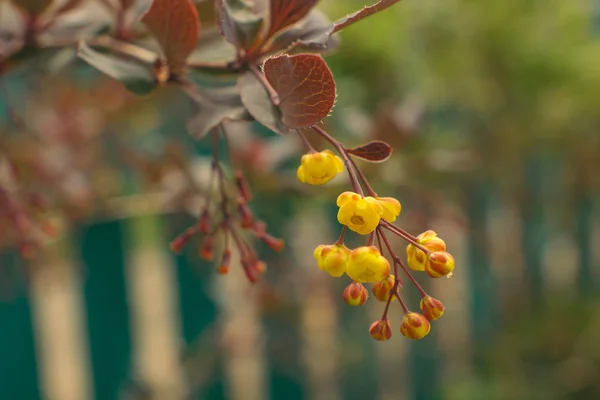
(360, 214)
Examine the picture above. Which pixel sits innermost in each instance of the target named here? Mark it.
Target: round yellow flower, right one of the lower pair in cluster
(366, 264)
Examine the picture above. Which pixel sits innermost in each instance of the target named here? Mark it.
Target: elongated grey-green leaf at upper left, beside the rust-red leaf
(136, 77)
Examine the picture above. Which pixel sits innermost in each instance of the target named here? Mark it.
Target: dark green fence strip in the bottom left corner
(18, 365)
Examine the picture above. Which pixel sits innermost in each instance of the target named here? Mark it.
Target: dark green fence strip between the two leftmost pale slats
(107, 311)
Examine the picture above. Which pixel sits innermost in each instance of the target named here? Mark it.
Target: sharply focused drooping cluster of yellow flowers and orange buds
(372, 216)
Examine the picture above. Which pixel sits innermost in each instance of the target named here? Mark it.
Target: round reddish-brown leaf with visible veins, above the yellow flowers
(305, 87)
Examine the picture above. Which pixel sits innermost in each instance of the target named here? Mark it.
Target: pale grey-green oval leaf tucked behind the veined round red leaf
(258, 103)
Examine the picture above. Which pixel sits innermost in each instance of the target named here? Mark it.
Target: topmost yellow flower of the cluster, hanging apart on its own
(319, 168)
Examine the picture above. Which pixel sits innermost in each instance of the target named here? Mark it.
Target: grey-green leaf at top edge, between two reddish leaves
(238, 23)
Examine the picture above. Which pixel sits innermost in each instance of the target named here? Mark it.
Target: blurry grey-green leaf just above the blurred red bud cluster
(214, 107)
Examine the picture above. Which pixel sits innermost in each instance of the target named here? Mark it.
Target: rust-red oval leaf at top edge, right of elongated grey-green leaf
(175, 25)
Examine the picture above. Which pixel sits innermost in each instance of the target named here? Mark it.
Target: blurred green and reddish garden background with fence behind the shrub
(493, 110)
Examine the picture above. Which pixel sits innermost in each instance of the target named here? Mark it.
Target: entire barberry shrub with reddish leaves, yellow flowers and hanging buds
(264, 62)
